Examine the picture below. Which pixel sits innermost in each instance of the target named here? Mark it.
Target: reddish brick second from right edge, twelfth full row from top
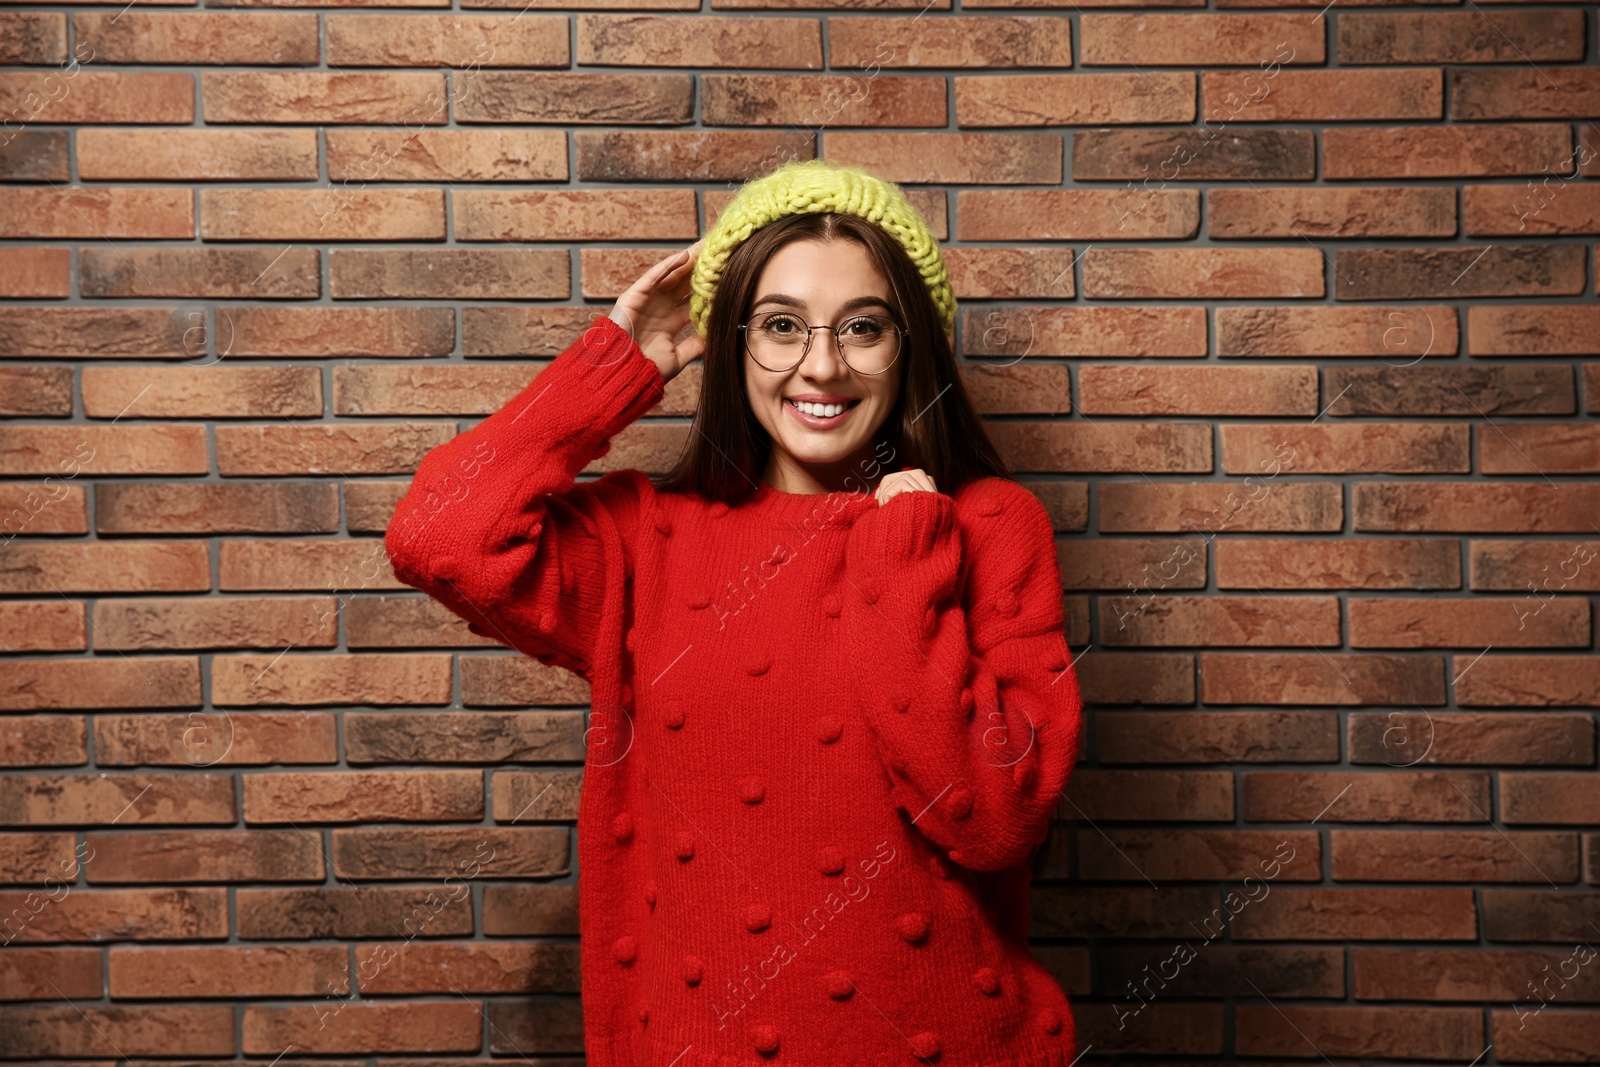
(1321, 679)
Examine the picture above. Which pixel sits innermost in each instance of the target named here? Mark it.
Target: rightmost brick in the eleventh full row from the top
(1476, 623)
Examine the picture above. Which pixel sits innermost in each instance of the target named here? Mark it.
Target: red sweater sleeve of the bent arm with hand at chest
(964, 666)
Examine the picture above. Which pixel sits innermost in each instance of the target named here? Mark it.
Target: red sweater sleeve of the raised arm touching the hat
(495, 524)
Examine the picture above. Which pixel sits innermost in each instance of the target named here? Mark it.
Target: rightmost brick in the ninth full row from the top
(1476, 506)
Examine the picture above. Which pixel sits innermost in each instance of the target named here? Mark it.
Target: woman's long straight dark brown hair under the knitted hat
(932, 425)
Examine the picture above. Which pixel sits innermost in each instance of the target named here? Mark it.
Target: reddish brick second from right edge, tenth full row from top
(1350, 564)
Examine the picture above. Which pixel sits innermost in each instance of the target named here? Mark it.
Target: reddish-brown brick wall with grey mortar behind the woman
(1289, 316)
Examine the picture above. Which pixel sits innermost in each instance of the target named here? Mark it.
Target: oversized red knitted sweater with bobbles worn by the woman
(825, 735)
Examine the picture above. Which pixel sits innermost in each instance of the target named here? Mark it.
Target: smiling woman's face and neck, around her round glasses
(822, 282)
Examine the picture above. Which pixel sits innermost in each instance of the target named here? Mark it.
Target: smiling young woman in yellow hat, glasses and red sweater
(833, 709)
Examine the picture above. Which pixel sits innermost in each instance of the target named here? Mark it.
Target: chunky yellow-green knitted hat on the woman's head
(818, 186)
